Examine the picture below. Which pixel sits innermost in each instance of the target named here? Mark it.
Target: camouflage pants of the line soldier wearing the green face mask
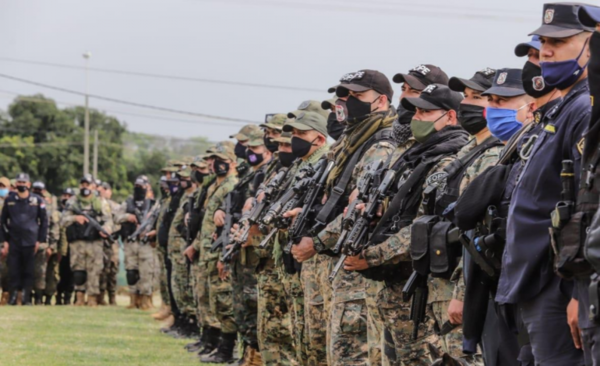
(400, 348)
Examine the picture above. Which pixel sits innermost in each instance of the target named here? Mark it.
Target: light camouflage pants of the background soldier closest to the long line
(140, 257)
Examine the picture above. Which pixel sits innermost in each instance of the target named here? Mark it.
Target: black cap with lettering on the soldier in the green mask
(434, 96)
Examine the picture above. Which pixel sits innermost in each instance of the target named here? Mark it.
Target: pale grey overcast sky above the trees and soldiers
(267, 56)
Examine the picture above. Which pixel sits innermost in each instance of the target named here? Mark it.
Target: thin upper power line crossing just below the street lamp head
(162, 76)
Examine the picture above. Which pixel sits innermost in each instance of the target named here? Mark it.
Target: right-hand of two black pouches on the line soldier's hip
(445, 251)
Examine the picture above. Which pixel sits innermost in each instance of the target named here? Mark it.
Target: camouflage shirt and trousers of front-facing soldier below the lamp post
(88, 255)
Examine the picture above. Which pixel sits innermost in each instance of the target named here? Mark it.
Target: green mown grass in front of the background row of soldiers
(67, 335)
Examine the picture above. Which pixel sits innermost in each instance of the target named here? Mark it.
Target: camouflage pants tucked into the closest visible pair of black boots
(221, 300)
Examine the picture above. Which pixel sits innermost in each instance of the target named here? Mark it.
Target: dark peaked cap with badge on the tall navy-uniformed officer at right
(561, 20)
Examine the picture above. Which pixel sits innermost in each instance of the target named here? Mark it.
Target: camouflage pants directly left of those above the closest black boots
(202, 294)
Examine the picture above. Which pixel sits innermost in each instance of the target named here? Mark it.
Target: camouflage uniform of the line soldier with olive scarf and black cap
(355, 338)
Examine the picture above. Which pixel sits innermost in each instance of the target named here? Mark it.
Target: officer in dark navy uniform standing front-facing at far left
(24, 227)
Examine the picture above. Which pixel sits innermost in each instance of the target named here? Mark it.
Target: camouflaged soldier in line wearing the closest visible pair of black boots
(223, 161)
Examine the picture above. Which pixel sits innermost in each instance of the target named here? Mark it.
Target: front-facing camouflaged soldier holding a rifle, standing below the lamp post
(86, 250)
